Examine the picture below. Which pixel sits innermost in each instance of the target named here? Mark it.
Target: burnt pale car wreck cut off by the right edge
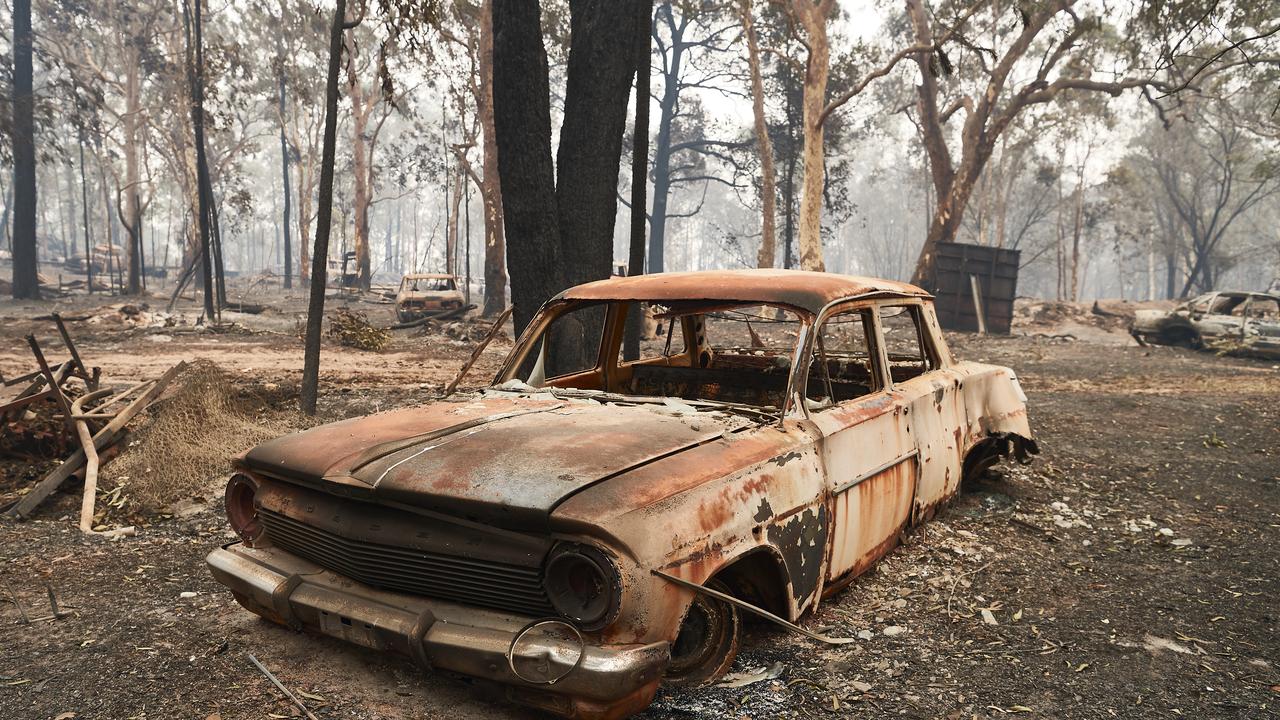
(1246, 323)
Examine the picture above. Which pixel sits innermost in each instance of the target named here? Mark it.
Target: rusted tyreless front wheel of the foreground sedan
(707, 644)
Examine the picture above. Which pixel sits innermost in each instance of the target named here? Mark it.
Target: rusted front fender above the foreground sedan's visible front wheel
(758, 491)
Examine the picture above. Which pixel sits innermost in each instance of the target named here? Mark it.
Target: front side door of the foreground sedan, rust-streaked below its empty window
(866, 449)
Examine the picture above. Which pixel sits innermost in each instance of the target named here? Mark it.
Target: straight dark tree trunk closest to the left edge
(26, 284)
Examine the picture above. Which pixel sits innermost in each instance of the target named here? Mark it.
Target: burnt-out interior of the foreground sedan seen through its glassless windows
(725, 353)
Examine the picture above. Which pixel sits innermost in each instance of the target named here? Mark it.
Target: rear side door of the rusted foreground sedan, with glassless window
(931, 391)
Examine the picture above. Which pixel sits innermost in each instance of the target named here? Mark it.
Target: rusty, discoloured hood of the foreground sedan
(505, 459)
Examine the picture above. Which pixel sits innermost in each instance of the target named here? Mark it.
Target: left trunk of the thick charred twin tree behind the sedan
(523, 127)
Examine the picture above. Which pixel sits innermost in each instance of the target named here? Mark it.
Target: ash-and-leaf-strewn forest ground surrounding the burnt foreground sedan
(1131, 572)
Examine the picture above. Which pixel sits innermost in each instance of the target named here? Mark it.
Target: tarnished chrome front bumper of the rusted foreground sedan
(607, 682)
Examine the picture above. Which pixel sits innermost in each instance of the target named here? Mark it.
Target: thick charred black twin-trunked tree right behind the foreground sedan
(556, 240)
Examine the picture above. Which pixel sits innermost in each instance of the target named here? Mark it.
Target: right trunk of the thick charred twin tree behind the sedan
(591, 144)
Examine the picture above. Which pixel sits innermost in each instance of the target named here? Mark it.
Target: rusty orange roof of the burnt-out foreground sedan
(807, 290)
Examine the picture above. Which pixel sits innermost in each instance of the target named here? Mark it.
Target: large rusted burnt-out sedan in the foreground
(569, 534)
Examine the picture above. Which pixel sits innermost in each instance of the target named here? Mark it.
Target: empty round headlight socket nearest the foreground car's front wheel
(583, 585)
